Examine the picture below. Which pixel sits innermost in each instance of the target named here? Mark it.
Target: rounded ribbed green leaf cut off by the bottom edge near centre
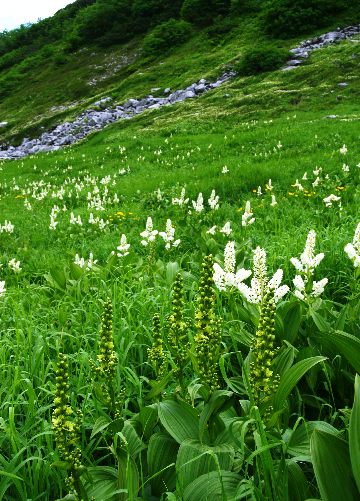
(213, 486)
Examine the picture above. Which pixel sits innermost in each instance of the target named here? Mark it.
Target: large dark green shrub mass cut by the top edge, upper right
(286, 18)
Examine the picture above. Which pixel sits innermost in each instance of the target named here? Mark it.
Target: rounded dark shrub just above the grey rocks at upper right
(260, 60)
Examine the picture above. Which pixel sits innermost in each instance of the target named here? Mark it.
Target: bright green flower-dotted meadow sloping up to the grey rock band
(197, 416)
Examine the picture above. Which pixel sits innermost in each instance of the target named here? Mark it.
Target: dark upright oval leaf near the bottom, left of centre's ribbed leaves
(161, 453)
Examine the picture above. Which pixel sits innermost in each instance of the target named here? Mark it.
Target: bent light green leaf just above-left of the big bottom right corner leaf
(298, 442)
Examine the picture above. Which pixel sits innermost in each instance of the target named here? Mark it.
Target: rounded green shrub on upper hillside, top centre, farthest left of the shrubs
(165, 36)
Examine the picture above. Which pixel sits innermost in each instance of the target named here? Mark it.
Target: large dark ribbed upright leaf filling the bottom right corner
(331, 461)
